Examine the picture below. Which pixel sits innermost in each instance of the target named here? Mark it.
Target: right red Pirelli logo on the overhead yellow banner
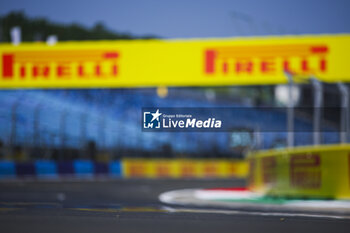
(266, 59)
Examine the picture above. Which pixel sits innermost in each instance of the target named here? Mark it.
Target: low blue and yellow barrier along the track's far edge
(126, 168)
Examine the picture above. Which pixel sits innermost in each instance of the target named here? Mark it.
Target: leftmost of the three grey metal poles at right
(290, 112)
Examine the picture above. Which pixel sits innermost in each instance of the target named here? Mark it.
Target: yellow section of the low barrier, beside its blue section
(184, 168)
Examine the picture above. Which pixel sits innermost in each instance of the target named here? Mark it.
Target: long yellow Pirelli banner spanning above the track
(211, 62)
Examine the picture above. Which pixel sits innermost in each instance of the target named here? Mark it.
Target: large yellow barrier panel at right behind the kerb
(315, 172)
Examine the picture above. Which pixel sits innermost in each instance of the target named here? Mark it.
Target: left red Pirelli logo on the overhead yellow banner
(63, 64)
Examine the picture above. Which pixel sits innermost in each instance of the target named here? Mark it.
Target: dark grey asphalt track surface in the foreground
(133, 206)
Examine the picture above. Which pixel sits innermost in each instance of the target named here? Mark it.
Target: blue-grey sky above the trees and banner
(196, 18)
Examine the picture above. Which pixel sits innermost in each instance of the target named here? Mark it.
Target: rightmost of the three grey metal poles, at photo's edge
(344, 112)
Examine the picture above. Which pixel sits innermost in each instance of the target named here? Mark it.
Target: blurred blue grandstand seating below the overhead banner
(68, 124)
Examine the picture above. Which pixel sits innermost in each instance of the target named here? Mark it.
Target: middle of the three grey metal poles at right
(318, 101)
